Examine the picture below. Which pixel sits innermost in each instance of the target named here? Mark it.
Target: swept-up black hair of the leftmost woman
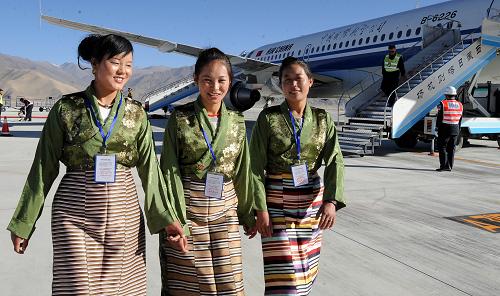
(97, 47)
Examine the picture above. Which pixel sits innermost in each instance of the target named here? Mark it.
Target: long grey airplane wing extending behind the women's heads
(243, 63)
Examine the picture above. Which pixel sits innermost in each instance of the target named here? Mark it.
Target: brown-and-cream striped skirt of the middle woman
(213, 263)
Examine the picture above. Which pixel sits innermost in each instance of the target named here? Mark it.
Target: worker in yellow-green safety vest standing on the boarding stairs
(392, 70)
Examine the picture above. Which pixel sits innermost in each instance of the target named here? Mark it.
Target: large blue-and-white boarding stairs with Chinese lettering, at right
(371, 120)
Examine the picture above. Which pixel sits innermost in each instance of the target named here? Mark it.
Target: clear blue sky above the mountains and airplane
(233, 26)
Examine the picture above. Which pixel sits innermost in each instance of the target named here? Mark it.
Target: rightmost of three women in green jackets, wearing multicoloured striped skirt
(289, 144)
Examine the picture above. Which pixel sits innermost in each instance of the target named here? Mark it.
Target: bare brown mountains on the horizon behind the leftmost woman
(20, 77)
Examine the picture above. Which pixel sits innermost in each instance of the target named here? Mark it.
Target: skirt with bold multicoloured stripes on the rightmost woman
(291, 255)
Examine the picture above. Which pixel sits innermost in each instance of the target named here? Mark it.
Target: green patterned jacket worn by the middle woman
(185, 153)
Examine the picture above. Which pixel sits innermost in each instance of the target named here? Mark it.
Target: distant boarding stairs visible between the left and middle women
(168, 94)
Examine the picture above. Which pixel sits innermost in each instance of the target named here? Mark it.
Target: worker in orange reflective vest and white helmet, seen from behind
(448, 122)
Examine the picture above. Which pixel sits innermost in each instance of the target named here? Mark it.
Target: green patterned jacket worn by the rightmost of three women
(273, 150)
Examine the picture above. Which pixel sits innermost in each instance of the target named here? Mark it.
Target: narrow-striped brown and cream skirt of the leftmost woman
(98, 237)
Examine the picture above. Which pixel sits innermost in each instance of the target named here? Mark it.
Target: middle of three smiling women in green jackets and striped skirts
(206, 166)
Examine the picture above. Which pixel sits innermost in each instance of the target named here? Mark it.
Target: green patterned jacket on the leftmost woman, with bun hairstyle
(71, 136)
